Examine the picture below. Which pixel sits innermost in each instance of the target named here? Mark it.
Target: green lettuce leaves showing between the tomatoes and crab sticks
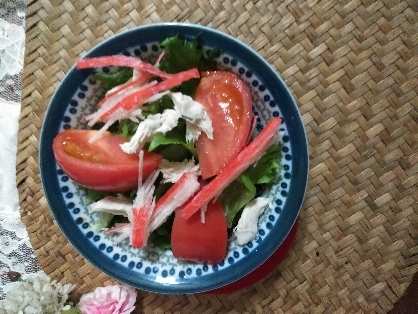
(180, 55)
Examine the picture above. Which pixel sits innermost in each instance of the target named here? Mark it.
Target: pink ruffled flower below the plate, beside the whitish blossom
(119, 299)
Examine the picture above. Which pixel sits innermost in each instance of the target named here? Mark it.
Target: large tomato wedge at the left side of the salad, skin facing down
(101, 165)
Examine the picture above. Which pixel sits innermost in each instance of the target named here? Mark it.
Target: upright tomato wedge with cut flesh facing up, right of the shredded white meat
(227, 101)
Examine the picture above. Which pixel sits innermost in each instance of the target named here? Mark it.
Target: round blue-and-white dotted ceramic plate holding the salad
(151, 269)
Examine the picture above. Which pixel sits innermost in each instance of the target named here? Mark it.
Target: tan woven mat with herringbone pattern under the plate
(353, 69)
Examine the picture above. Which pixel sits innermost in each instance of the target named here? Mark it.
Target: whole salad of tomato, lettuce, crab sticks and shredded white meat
(169, 159)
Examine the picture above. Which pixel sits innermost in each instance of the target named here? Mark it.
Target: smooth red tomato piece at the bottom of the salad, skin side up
(199, 242)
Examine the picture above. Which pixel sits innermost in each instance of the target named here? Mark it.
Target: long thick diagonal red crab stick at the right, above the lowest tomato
(248, 156)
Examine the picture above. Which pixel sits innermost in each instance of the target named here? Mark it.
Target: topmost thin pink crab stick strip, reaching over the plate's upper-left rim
(122, 61)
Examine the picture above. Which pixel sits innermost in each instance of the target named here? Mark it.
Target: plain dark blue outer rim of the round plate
(46, 138)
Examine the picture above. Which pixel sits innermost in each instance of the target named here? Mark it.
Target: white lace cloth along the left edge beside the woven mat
(16, 252)
